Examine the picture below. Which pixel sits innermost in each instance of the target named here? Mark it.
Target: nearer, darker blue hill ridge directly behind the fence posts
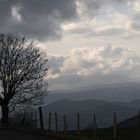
(87, 108)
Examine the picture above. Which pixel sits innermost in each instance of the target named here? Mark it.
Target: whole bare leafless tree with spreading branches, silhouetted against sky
(23, 68)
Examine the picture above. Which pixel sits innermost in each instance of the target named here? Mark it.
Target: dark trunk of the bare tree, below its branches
(5, 117)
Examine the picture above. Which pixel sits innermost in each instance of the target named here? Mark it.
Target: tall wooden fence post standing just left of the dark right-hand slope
(114, 126)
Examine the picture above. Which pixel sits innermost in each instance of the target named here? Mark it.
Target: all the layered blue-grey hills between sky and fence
(122, 98)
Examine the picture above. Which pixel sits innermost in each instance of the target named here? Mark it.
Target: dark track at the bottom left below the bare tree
(8, 134)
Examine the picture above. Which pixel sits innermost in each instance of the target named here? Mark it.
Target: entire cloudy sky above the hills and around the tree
(88, 42)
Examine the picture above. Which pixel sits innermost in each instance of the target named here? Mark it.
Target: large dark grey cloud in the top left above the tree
(40, 19)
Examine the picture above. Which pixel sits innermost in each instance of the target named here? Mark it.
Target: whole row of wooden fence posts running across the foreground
(63, 123)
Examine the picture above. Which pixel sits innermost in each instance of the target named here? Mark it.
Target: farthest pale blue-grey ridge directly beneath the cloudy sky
(111, 92)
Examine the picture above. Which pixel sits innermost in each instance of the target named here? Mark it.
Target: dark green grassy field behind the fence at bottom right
(107, 134)
